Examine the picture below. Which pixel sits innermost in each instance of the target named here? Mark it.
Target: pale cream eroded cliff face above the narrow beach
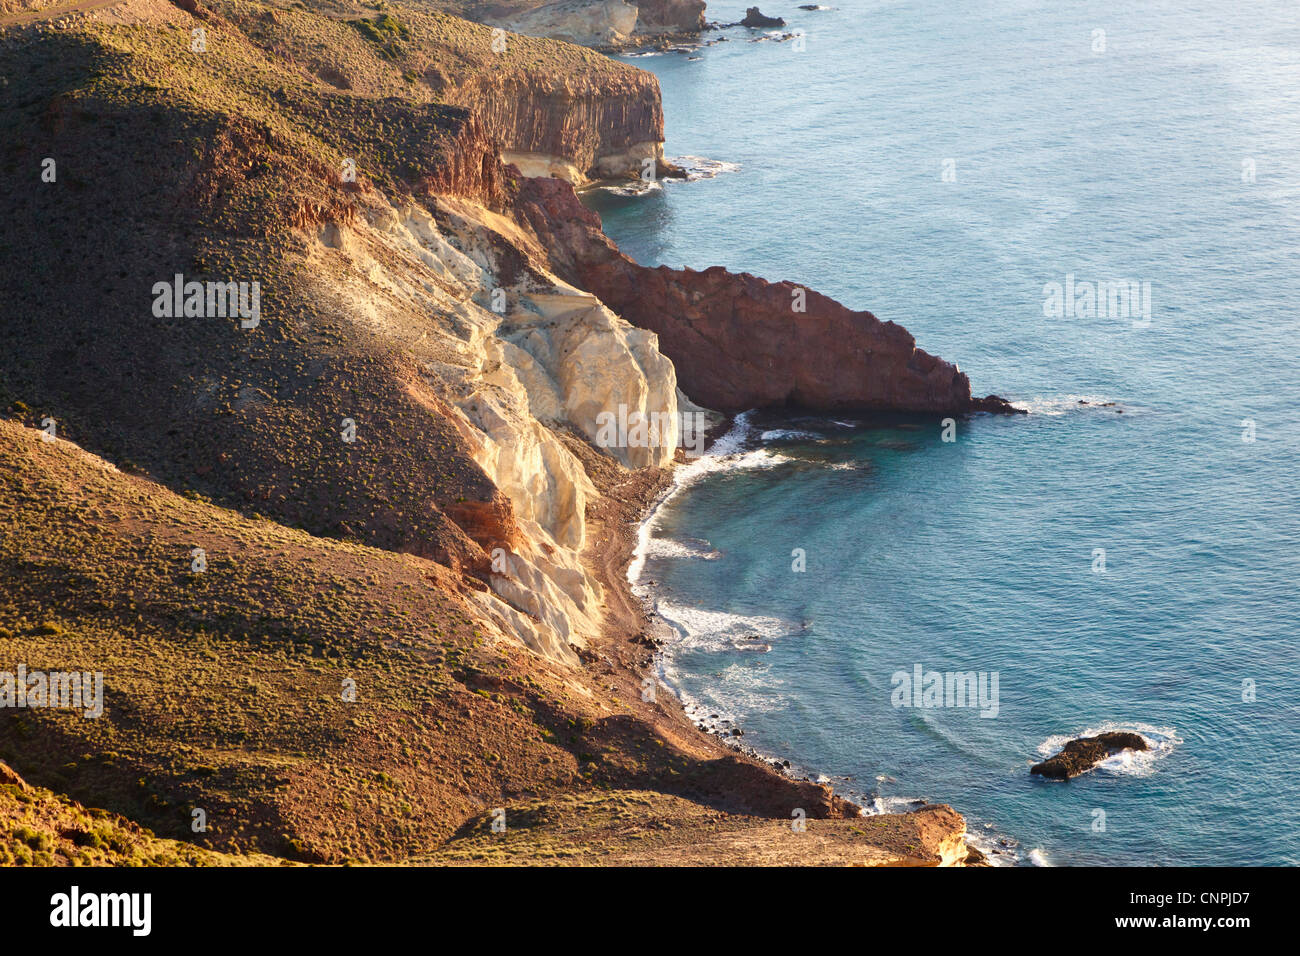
(510, 354)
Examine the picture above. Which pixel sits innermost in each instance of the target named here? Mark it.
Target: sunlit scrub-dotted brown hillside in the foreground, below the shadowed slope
(224, 691)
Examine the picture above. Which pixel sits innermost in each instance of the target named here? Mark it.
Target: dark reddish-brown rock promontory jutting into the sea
(739, 341)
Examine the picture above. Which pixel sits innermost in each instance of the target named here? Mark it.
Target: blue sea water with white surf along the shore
(1132, 162)
